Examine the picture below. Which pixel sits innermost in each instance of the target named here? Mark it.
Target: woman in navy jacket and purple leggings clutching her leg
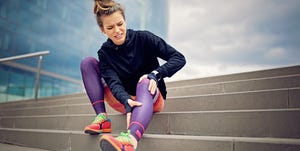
(128, 76)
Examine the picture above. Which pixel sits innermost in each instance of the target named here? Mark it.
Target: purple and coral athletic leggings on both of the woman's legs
(98, 92)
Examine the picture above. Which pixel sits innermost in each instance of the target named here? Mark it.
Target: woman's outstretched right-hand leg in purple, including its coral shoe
(140, 118)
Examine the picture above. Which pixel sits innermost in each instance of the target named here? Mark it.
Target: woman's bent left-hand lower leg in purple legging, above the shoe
(91, 77)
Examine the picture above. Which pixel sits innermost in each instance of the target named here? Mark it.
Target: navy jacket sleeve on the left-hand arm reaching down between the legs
(114, 83)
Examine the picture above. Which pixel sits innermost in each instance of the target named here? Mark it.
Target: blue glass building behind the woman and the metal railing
(68, 29)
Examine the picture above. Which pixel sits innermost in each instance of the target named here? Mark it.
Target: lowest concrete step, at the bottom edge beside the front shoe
(77, 141)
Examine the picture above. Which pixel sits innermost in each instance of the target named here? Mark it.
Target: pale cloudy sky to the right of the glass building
(224, 37)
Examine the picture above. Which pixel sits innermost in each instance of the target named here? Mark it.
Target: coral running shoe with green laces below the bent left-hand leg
(101, 124)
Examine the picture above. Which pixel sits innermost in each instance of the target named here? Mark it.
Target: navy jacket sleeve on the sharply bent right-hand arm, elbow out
(174, 59)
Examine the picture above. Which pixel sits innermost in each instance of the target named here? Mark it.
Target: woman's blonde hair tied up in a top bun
(106, 7)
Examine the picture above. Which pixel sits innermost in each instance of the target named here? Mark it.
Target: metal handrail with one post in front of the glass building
(38, 69)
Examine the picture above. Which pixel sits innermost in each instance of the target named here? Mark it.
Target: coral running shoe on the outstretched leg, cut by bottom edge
(120, 143)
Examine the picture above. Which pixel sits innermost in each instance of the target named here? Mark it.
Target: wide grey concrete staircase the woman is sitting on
(253, 111)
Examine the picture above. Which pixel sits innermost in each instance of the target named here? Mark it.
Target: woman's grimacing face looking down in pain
(114, 26)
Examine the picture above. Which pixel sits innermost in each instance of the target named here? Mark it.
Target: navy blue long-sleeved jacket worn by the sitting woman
(122, 66)
